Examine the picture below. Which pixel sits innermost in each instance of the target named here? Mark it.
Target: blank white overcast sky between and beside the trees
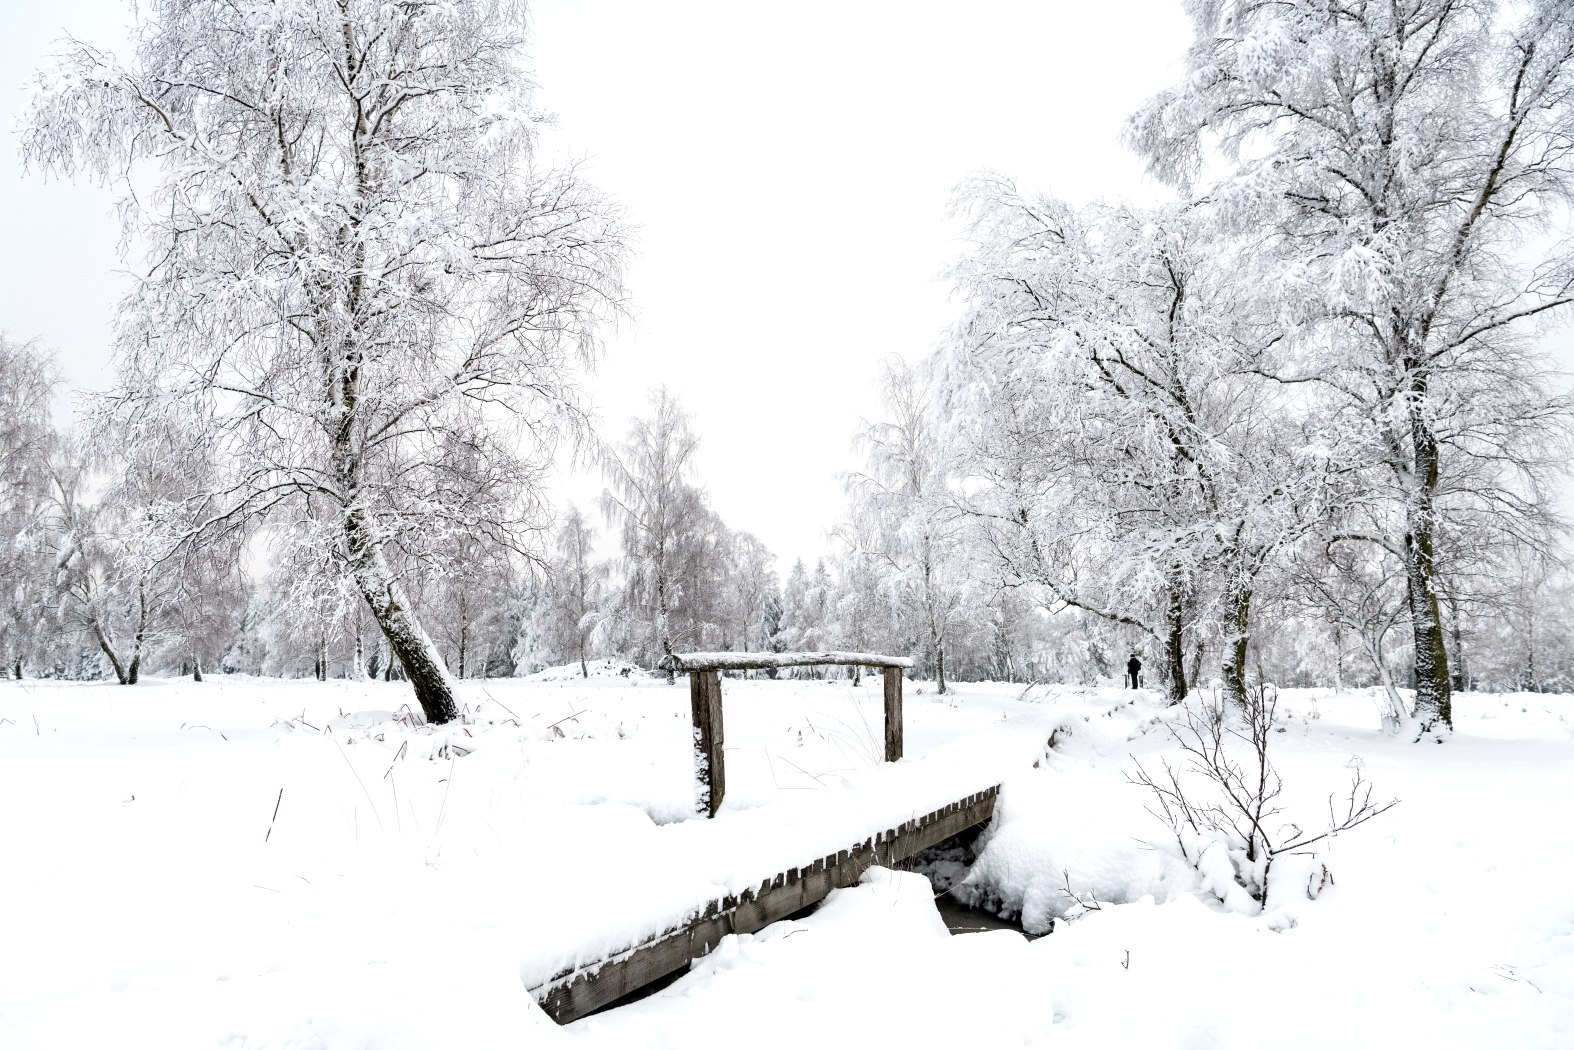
(789, 171)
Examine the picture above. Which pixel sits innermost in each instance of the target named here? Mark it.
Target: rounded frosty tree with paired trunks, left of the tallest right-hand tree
(1125, 445)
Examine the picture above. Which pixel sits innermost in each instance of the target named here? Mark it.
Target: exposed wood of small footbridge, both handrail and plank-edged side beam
(580, 991)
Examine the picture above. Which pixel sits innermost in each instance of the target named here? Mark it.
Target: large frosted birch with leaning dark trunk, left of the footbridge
(357, 264)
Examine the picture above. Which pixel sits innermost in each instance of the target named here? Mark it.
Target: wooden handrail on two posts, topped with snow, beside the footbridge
(704, 671)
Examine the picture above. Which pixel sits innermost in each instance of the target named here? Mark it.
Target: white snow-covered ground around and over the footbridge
(294, 865)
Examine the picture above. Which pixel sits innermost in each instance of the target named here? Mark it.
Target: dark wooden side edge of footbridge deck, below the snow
(578, 993)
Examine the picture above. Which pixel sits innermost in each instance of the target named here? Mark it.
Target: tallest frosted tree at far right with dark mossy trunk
(1402, 163)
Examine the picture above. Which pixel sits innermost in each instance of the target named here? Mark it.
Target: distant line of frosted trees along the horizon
(97, 583)
